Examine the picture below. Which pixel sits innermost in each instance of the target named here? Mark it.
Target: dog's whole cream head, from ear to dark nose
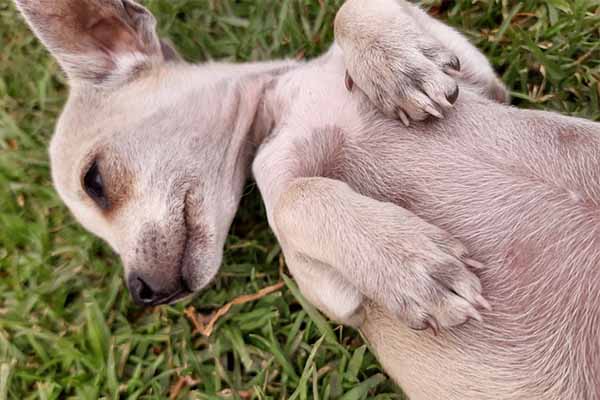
(150, 153)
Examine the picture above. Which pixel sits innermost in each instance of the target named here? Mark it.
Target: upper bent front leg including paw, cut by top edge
(408, 63)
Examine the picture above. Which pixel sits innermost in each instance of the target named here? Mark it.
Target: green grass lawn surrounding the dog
(67, 326)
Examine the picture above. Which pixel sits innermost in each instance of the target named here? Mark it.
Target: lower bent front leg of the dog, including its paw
(344, 247)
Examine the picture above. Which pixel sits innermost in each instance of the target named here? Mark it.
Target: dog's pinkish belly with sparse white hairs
(522, 191)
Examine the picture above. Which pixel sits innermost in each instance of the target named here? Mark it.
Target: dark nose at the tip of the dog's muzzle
(147, 293)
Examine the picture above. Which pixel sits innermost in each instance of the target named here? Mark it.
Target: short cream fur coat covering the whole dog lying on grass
(372, 214)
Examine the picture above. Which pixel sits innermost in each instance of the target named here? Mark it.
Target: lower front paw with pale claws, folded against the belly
(437, 287)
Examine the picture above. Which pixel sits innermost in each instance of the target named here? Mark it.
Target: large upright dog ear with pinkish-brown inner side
(95, 41)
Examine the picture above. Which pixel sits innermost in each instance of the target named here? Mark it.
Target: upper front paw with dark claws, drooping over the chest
(410, 78)
